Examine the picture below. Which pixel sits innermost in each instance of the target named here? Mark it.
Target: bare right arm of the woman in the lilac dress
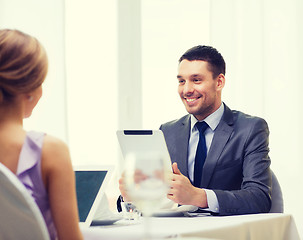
(59, 178)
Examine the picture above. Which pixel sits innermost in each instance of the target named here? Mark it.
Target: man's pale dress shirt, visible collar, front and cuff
(212, 121)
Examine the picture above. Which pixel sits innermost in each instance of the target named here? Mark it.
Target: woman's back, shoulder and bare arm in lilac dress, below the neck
(42, 163)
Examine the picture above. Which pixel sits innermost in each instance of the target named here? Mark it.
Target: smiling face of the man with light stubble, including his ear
(199, 91)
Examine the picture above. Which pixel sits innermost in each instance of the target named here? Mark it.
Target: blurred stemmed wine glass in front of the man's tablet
(146, 183)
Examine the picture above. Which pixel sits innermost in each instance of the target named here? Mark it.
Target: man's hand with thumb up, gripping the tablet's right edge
(183, 192)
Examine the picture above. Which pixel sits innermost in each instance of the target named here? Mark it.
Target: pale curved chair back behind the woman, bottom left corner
(20, 217)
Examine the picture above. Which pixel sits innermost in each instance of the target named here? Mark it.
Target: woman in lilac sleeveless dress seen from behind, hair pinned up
(41, 162)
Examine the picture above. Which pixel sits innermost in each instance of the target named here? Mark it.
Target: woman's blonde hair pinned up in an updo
(23, 64)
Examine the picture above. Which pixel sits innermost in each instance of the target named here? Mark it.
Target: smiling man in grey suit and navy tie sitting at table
(224, 168)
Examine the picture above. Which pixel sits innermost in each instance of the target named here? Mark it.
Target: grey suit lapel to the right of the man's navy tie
(221, 136)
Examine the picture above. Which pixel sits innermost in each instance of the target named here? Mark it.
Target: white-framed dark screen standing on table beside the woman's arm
(91, 183)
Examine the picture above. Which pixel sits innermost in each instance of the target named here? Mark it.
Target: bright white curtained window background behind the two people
(113, 65)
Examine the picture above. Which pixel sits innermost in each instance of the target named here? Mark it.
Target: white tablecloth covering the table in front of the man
(253, 227)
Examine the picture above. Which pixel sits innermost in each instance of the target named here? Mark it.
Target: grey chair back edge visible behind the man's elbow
(277, 205)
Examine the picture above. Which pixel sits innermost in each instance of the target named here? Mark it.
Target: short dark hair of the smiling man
(207, 54)
